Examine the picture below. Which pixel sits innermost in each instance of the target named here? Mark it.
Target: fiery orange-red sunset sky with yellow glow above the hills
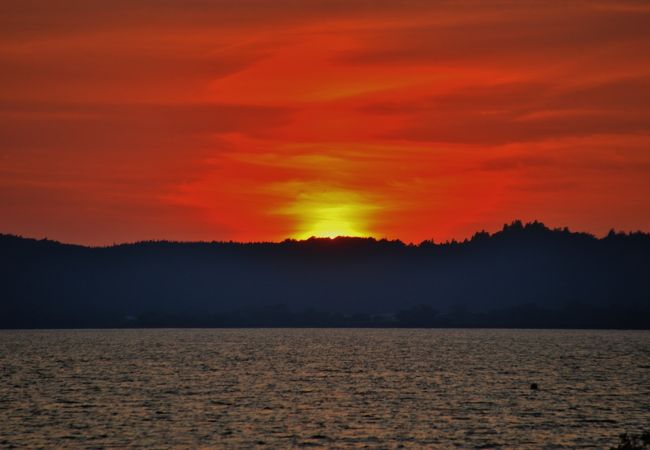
(125, 120)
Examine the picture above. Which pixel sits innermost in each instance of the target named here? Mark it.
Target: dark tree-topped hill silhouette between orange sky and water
(522, 276)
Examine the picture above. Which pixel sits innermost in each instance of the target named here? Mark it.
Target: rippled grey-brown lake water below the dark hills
(279, 388)
